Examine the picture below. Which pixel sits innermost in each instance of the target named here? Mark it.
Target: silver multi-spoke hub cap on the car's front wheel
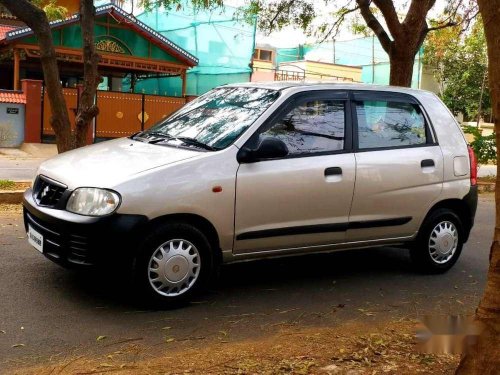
(174, 267)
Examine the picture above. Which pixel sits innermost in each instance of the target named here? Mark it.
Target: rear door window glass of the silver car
(384, 124)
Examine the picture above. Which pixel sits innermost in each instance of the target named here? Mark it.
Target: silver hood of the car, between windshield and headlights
(106, 164)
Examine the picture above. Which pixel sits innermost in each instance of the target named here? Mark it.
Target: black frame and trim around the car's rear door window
(371, 95)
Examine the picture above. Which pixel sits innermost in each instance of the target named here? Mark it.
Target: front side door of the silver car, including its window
(302, 199)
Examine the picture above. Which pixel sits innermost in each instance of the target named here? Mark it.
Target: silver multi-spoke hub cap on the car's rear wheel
(443, 242)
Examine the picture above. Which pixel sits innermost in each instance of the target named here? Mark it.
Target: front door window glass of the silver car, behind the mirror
(312, 126)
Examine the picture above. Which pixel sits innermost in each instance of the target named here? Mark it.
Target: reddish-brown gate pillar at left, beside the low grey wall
(32, 90)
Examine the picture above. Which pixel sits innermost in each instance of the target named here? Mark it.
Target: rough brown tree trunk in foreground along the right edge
(484, 357)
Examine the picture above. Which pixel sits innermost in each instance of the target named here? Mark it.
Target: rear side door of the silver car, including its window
(399, 171)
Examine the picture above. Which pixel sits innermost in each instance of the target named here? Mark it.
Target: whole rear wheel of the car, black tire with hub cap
(439, 242)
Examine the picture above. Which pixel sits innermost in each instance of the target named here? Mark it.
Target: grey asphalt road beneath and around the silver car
(54, 312)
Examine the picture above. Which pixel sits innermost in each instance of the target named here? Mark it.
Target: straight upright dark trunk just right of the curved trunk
(87, 110)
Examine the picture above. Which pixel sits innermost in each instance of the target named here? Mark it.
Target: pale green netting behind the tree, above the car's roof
(365, 52)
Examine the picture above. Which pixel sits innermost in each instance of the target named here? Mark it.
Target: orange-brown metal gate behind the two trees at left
(120, 113)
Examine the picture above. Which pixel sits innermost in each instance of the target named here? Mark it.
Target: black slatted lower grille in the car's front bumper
(60, 245)
